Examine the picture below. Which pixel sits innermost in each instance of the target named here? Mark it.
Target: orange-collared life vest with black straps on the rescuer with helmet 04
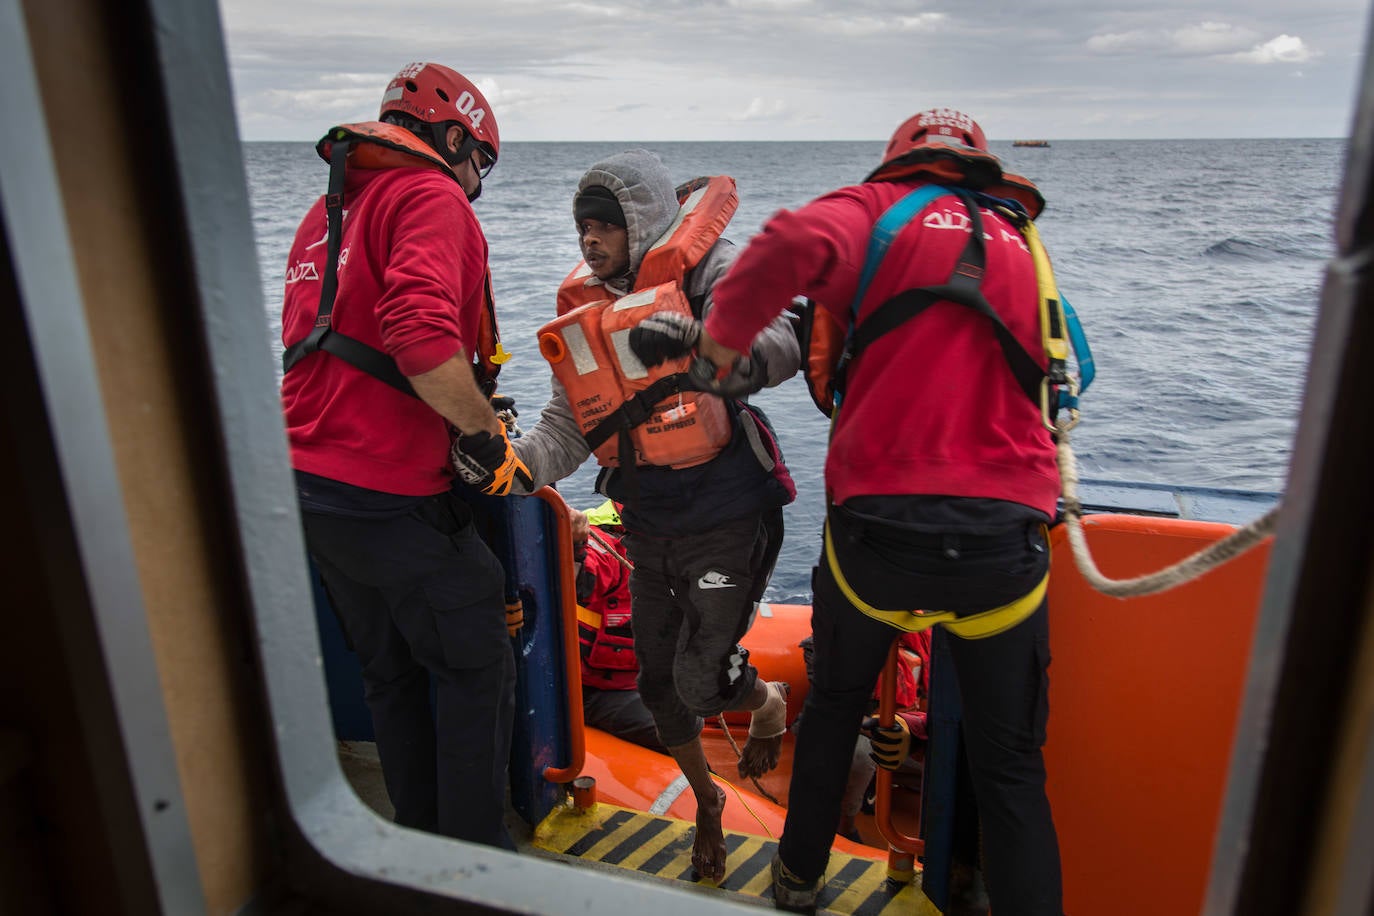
(376, 145)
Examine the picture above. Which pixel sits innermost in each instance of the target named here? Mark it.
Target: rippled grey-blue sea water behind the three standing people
(1195, 266)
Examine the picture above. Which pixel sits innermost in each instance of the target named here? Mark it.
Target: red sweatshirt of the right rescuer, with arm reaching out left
(932, 407)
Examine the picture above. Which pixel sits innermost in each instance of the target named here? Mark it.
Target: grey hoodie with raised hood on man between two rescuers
(554, 448)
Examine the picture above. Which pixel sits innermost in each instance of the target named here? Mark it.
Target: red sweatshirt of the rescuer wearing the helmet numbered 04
(413, 268)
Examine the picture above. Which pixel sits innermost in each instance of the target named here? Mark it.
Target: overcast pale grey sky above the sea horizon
(814, 69)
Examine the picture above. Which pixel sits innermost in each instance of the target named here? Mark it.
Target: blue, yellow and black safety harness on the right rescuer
(1050, 389)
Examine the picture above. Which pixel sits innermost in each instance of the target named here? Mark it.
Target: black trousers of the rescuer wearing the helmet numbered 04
(421, 599)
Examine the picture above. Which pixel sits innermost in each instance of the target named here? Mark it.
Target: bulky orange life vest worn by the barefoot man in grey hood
(616, 400)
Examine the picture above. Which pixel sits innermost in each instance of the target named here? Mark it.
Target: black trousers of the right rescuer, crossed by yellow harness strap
(1004, 685)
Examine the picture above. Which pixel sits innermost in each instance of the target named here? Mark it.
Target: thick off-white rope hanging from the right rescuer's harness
(1185, 571)
